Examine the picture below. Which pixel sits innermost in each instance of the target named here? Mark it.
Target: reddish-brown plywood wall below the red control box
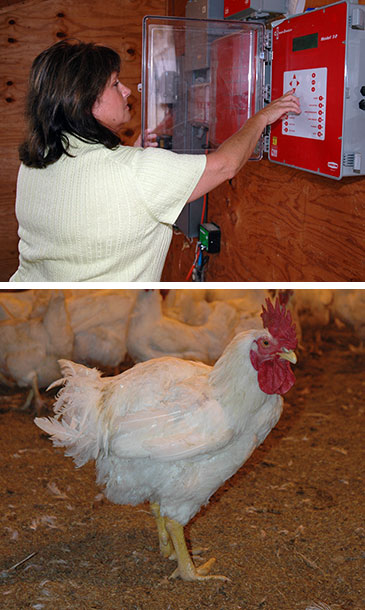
(281, 224)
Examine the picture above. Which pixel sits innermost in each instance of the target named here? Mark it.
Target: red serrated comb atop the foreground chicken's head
(278, 322)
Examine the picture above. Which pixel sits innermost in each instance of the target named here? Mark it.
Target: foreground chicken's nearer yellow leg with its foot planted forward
(185, 566)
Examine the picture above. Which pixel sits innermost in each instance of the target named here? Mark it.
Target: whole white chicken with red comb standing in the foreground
(171, 431)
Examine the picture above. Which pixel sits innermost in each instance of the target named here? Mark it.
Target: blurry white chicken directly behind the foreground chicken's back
(152, 334)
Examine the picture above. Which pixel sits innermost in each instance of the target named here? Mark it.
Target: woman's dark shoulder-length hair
(64, 83)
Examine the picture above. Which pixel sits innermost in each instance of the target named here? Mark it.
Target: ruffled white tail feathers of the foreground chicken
(77, 424)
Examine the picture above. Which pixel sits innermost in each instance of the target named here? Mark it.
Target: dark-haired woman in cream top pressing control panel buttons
(89, 208)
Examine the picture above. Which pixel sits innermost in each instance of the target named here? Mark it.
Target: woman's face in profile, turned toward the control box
(111, 108)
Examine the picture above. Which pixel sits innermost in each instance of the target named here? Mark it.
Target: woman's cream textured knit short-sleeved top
(103, 215)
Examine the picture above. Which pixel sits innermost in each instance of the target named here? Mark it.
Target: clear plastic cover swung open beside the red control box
(202, 79)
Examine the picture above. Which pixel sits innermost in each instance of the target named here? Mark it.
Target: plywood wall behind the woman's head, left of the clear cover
(26, 29)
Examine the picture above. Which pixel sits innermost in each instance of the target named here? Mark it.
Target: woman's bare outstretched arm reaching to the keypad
(225, 162)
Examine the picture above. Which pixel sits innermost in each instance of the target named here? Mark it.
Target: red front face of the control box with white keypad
(309, 57)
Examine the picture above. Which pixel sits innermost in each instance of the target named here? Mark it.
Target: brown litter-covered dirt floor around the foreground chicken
(288, 529)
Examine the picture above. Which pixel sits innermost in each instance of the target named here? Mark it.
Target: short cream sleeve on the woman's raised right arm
(166, 180)
